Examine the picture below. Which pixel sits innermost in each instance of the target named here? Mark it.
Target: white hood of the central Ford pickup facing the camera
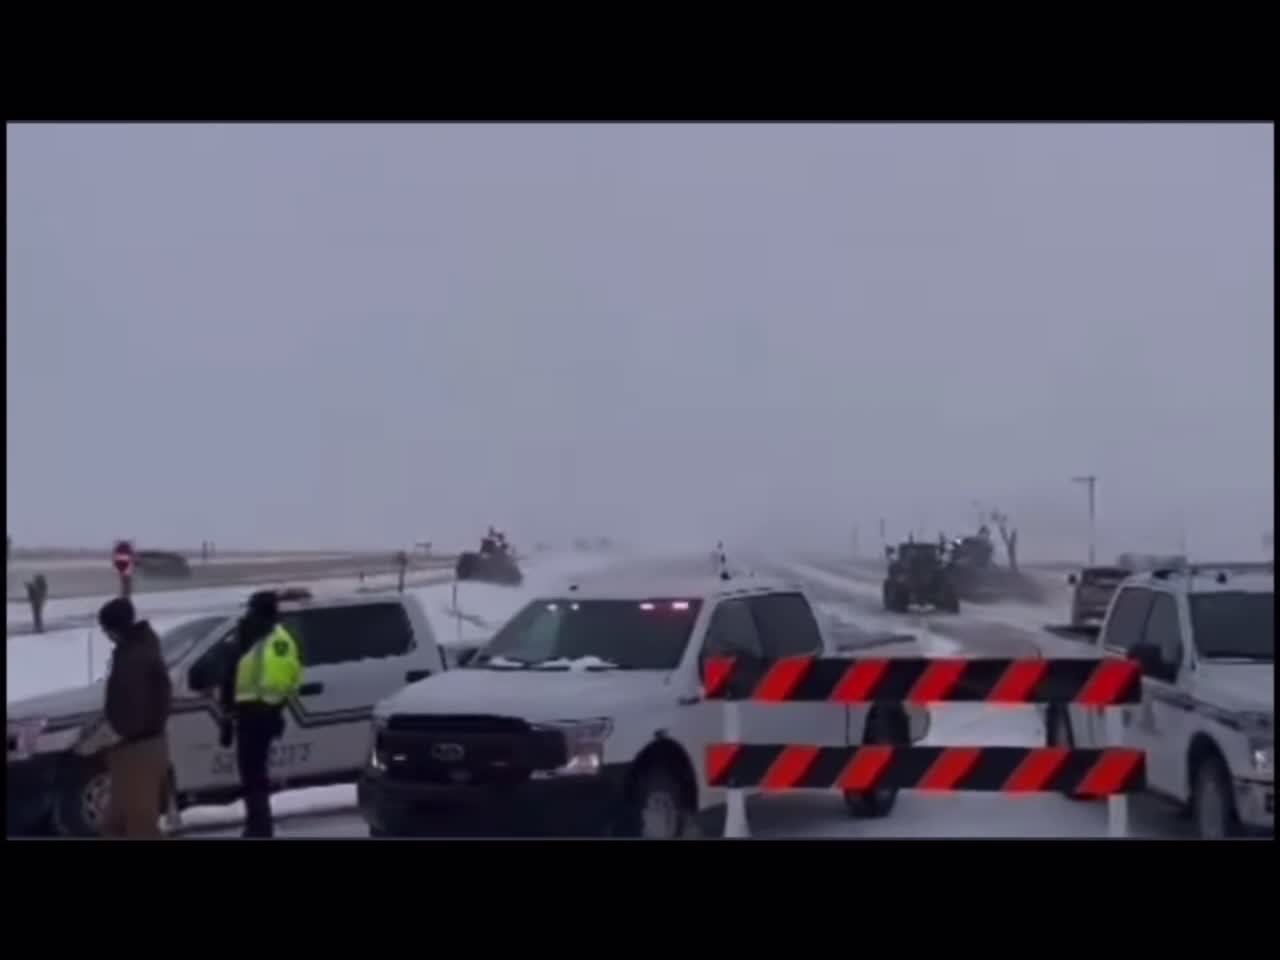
(537, 696)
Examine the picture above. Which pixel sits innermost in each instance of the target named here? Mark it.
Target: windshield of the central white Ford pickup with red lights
(604, 634)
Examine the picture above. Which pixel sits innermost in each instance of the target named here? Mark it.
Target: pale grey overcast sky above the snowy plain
(292, 336)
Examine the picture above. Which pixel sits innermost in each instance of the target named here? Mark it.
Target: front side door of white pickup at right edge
(1160, 725)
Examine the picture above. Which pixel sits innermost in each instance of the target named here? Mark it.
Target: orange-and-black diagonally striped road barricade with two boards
(1110, 772)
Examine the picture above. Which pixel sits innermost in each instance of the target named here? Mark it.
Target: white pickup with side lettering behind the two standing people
(356, 651)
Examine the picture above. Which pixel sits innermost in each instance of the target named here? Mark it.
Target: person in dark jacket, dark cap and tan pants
(139, 698)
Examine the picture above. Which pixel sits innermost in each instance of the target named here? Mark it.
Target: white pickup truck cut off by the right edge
(1206, 643)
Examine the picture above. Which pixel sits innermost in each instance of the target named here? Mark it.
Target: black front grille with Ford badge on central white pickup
(467, 751)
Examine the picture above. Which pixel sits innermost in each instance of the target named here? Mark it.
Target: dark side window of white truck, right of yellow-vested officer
(346, 634)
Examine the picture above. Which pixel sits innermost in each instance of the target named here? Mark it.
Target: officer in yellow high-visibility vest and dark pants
(264, 675)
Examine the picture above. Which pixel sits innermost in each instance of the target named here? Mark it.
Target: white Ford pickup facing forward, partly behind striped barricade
(586, 716)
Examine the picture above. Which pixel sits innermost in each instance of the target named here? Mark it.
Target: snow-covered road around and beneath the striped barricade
(848, 600)
